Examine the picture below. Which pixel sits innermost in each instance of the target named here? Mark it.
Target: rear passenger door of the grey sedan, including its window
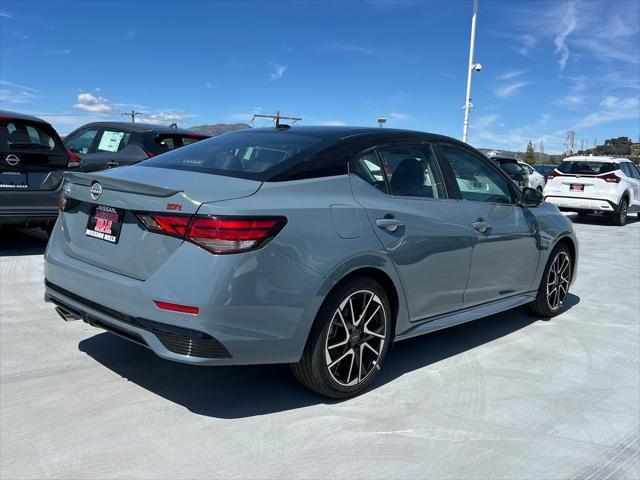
(423, 230)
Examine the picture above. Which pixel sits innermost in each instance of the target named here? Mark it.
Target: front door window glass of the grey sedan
(476, 180)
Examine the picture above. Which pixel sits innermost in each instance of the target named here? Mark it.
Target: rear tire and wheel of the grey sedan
(360, 341)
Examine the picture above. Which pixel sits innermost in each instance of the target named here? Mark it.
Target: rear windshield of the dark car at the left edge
(20, 135)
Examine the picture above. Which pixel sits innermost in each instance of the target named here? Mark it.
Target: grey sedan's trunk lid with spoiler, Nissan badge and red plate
(100, 224)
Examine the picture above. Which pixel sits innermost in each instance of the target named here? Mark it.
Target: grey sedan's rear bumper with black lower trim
(255, 308)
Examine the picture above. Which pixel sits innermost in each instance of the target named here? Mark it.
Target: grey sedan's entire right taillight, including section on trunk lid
(220, 235)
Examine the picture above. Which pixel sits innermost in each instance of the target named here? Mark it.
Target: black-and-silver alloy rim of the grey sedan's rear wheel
(356, 338)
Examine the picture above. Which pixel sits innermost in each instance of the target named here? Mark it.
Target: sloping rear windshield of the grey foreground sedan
(251, 155)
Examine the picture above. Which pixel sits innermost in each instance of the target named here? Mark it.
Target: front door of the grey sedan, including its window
(505, 254)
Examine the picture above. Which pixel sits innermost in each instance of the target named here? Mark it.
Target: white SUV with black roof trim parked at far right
(595, 184)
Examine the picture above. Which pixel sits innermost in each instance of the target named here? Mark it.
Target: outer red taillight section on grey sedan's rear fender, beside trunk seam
(233, 234)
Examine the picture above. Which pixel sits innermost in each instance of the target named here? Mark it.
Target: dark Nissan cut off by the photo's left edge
(32, 161)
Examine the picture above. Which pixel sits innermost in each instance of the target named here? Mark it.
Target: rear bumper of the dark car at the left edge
(29, 208)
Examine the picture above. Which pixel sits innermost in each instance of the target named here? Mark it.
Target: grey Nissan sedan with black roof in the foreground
(299, 247)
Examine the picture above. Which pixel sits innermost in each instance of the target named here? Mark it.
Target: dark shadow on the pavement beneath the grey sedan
(245, 391)
